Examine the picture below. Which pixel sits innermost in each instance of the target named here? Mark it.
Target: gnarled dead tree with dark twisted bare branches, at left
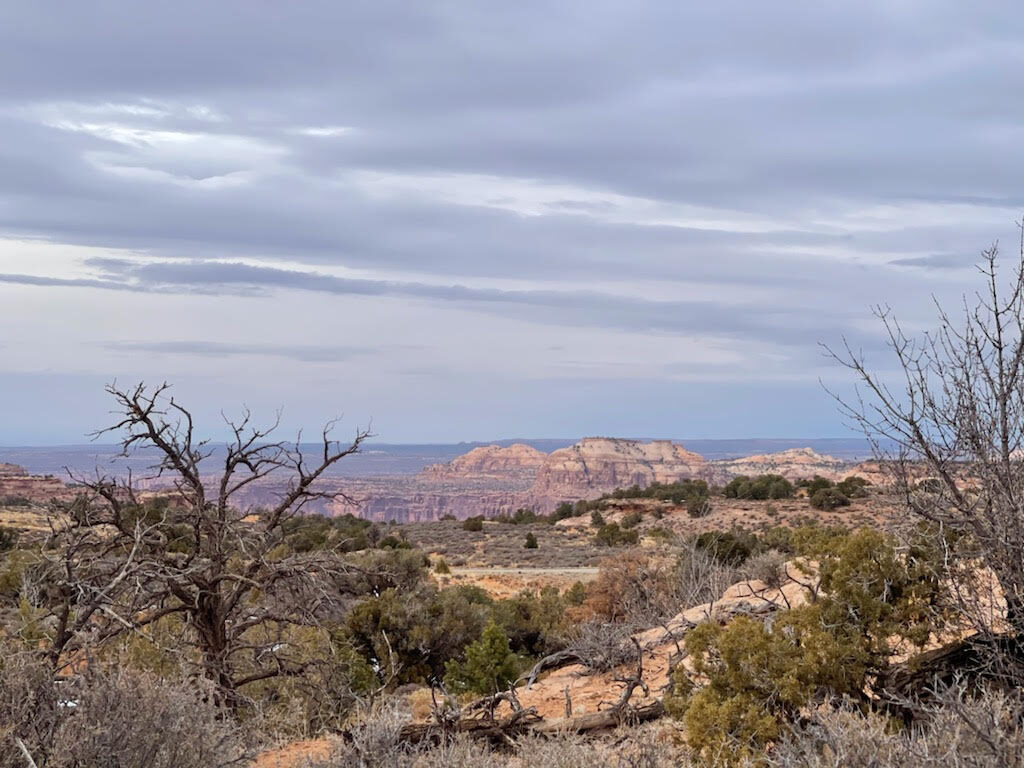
(216, 572)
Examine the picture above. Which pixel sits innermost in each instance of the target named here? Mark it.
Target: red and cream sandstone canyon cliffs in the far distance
(498, 480)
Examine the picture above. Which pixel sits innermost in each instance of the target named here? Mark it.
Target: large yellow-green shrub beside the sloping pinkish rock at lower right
(875, 598)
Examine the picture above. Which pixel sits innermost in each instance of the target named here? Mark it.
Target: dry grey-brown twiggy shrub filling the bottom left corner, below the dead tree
(112, 718)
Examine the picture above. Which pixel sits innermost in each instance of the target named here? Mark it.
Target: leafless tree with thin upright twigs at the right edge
(951, 434)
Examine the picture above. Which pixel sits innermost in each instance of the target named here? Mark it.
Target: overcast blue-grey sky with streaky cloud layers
(475, 221)
